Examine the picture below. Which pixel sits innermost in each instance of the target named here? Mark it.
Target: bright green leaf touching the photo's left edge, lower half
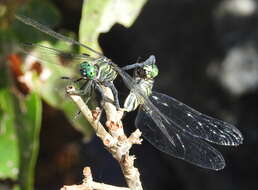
(9, 158)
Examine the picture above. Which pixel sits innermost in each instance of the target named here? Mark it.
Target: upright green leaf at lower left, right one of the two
(28, 129)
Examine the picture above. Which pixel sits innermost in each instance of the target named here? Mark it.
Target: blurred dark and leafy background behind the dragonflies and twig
(207, 55)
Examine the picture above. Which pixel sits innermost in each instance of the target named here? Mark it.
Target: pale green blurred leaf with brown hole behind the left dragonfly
(51, 88)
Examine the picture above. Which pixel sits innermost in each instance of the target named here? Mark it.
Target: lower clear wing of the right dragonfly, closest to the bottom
(177, 143)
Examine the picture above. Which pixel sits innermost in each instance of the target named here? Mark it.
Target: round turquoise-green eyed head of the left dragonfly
(88, 70)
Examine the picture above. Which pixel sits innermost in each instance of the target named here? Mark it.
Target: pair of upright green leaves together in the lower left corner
(19, 138)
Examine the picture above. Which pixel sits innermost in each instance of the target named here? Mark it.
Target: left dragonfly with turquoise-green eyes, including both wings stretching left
(94, 71)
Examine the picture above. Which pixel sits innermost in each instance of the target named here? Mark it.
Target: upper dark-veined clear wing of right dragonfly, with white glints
(196, 123)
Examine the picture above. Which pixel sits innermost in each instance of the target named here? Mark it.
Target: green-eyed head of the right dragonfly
(147, 71)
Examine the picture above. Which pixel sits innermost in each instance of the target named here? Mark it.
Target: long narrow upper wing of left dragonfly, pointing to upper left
(47, 30)
